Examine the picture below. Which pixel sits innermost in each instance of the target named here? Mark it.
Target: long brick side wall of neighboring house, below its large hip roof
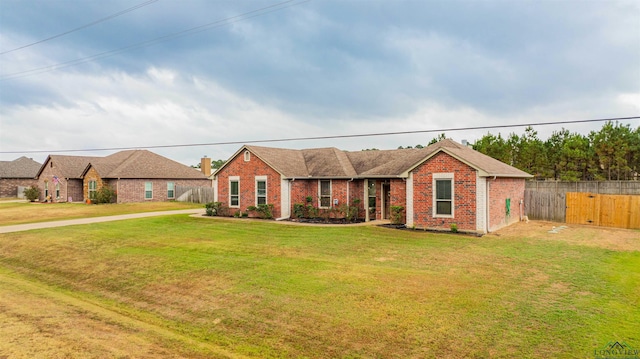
(133, 190)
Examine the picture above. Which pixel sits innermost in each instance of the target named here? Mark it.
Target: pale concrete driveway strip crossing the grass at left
(72, 222)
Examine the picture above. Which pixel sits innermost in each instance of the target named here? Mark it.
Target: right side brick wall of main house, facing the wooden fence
(499, 190)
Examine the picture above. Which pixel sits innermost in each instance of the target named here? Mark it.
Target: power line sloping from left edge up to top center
(212, 25)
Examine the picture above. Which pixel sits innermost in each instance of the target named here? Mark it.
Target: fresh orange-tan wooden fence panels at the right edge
(603, 210)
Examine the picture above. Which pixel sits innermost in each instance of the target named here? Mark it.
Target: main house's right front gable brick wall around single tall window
(464, 193)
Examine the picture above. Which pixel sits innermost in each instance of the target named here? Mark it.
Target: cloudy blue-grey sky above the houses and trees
(304, 69)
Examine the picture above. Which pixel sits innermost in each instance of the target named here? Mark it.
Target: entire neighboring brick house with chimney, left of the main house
(135, 175)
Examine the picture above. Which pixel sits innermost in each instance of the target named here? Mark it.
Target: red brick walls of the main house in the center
(478, 203)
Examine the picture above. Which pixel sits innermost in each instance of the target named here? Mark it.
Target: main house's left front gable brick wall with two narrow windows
(247, 171)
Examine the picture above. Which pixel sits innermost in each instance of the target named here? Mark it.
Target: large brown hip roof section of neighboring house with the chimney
(142, 164)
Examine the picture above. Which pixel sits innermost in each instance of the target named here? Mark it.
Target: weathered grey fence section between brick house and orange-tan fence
(544, 206)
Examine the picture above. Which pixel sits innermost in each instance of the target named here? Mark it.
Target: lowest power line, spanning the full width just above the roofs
(328, 137)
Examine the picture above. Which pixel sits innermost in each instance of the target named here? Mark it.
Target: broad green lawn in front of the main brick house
(269, 290)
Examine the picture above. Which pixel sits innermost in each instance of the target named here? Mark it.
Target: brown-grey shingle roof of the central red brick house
(334, 163)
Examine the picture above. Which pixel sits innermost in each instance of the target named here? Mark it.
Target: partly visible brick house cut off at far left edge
(16, 174)
